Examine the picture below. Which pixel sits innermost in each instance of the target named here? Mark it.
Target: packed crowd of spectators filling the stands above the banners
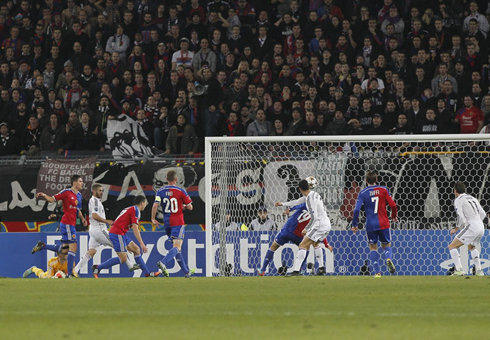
(186, 69)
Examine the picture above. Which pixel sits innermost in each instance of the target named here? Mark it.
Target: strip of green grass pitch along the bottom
(246, 308)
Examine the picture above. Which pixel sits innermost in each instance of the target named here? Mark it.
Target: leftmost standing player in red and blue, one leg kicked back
(72, 207)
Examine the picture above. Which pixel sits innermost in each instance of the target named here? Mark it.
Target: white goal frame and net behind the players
(246, 175)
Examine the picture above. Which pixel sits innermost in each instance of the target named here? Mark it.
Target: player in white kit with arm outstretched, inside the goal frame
(318, 227)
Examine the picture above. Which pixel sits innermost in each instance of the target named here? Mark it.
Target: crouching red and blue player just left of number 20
(128, 218)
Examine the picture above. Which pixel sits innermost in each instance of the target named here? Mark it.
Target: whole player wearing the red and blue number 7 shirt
(374, 198)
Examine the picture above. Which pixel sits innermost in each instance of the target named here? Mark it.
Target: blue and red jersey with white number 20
(172, 199)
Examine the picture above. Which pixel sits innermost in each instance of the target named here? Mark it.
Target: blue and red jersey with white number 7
(374, 198)
